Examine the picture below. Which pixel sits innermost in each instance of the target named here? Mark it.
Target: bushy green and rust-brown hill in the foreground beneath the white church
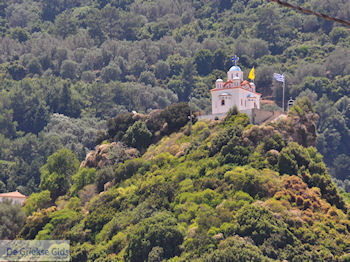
(217, 191)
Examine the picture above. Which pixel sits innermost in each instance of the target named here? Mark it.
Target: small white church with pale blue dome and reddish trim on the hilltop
(234, 92)
